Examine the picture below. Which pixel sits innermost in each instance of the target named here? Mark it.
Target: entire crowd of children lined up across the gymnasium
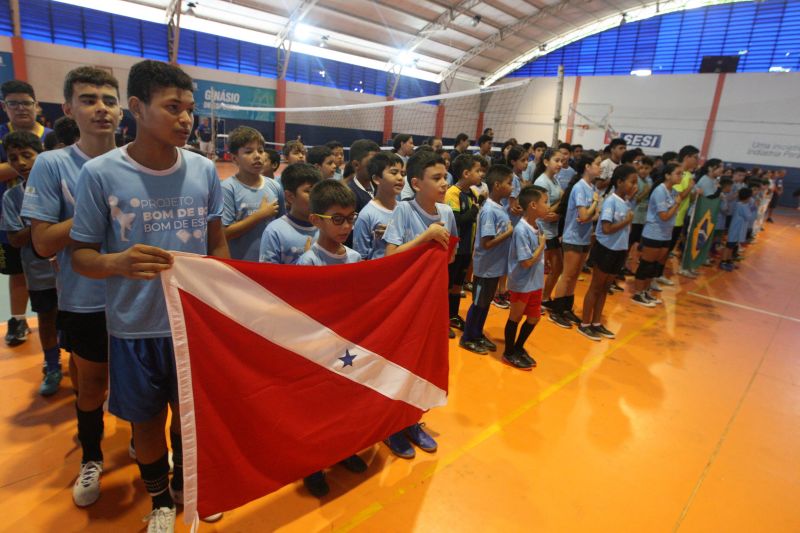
(82, 228)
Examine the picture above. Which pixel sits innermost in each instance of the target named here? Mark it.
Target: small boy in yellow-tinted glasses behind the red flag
(333, 214)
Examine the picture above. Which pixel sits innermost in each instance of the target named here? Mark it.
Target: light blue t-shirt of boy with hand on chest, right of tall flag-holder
(239, 201)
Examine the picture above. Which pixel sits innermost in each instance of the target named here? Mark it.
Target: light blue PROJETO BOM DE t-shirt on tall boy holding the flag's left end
(120, 203)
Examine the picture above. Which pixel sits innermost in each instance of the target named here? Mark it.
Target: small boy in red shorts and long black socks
(525, 277)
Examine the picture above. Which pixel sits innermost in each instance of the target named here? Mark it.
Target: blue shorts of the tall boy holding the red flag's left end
(142, 379)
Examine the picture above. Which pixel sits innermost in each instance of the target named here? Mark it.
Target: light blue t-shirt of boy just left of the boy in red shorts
(492, 221)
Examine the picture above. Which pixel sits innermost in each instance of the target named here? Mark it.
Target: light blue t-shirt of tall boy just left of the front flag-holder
(50, 197)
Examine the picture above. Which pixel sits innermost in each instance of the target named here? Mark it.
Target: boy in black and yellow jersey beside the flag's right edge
(466, 169)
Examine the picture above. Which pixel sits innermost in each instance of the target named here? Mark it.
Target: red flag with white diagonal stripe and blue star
(286, 370)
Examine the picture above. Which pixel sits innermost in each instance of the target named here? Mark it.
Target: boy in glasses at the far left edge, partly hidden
(19, 103)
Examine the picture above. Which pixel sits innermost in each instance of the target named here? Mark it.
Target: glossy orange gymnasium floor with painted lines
(688, 422)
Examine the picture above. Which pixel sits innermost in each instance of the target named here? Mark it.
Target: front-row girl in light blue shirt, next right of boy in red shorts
(580, 212)
